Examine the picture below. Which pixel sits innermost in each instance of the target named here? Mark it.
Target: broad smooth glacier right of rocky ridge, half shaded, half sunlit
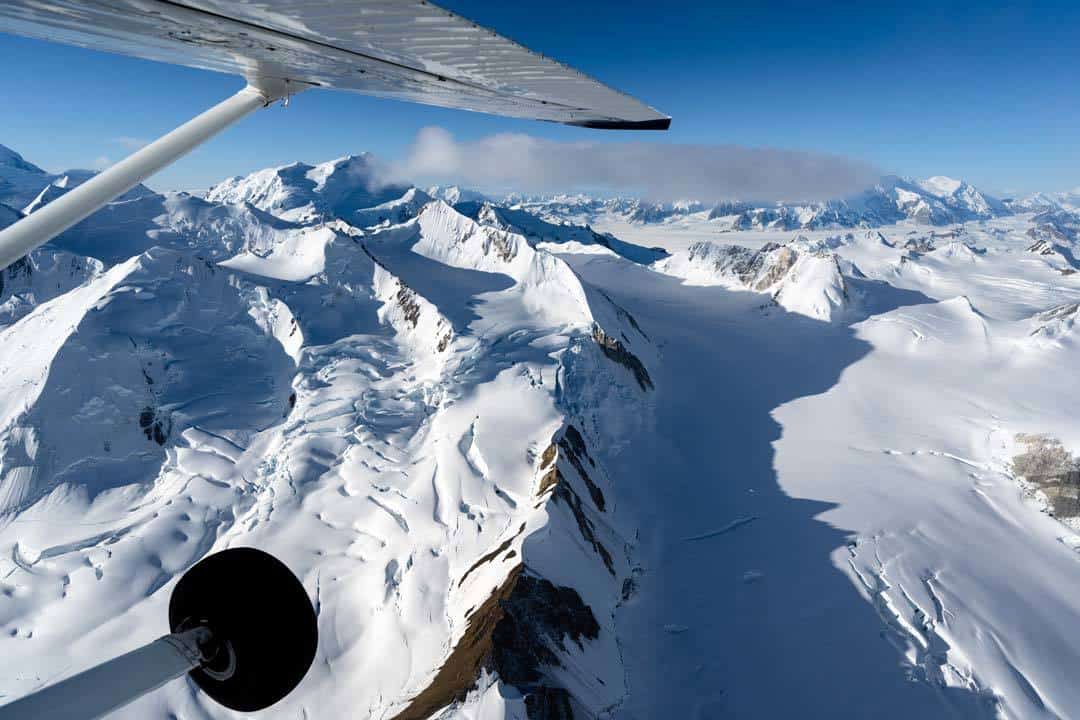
(796, 460)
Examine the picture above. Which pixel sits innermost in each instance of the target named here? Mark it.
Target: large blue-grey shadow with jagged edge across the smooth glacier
(741, 612)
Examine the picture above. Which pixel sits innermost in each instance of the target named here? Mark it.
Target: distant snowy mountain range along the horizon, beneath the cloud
(340, 188)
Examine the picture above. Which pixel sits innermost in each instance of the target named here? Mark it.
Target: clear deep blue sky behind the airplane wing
(973, 90)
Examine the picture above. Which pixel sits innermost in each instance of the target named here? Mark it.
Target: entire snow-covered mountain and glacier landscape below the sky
(555, 458)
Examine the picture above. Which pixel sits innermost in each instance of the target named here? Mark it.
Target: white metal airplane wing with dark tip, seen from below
(408, 50)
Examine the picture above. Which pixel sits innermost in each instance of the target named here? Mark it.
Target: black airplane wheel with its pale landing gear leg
(245, 631)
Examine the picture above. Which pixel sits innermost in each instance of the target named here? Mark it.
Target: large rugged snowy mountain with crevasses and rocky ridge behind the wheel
(384, 410)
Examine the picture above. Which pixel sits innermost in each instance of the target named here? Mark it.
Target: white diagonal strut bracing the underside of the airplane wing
(61, 214)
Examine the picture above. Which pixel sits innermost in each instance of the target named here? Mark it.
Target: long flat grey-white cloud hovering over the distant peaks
(660, 172)
